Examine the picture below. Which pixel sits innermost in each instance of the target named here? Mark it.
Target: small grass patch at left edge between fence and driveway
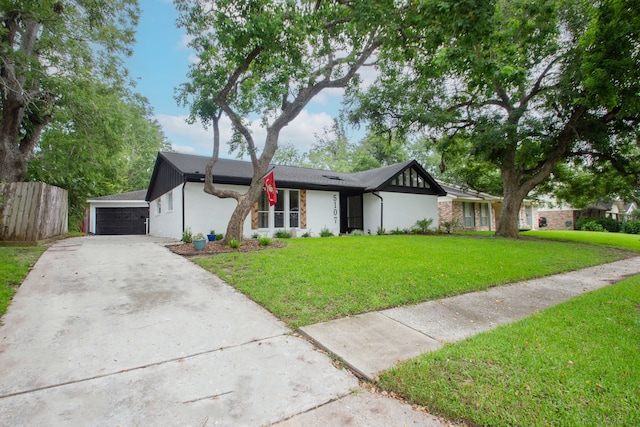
(15, 263)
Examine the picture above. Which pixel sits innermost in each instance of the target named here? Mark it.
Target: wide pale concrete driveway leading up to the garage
(118, 330)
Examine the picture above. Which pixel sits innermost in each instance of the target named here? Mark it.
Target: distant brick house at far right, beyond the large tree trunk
(558, 216)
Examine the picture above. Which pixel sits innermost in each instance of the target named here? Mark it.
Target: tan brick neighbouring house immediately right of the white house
(477, 211)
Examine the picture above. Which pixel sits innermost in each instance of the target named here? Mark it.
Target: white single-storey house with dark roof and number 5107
(309, 200)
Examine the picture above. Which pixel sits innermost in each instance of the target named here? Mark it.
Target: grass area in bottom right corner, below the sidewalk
(575, 364)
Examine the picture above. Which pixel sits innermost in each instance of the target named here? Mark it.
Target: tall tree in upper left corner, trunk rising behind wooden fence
(45, 46)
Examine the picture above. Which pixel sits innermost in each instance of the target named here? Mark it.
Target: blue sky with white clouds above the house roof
(160, 63)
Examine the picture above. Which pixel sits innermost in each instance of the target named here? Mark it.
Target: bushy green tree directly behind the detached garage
(101, 141)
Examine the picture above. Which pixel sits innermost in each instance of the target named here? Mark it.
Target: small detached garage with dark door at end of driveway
(125, 213)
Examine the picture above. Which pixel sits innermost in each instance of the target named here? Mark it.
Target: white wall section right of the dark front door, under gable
(401, 210)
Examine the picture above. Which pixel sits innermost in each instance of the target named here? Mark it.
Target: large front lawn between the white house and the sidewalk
(314, 280)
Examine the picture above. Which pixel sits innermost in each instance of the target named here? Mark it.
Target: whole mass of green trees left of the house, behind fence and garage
(69, 114)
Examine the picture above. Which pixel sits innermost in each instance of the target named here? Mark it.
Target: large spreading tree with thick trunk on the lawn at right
(527, 86)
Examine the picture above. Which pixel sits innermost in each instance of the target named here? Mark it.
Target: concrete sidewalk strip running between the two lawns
(373, 342)
